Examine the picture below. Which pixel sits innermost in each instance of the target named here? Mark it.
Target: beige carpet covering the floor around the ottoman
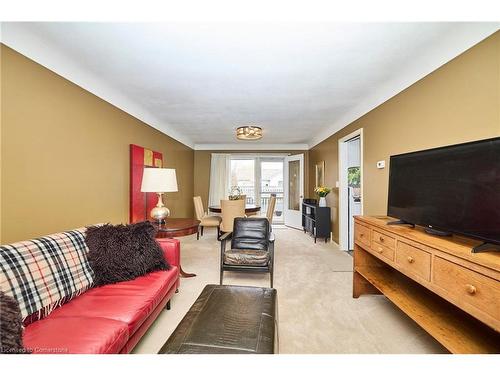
(317, 313)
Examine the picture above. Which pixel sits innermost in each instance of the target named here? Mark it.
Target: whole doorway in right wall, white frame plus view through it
(350, 186)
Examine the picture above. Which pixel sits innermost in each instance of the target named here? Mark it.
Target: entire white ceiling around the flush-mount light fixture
(197, 82)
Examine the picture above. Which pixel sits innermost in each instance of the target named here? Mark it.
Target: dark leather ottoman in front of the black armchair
(228, 319)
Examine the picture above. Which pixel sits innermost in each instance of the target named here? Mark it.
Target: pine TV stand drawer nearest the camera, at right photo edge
(467, 286)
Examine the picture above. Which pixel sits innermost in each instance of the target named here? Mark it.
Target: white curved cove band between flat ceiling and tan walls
(45, 51)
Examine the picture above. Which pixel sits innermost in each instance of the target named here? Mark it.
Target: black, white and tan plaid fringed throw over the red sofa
(46, 272)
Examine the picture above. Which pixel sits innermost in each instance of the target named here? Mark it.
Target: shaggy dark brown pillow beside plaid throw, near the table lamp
(123, 252)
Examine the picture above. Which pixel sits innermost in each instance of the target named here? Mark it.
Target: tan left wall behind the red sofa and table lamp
(65, 154)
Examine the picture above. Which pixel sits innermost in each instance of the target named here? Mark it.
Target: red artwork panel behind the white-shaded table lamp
(141, 203)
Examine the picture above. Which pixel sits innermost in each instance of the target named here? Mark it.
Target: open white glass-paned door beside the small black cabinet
(294, 190)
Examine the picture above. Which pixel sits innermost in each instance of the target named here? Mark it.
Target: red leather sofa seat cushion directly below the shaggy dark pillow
(129, 302)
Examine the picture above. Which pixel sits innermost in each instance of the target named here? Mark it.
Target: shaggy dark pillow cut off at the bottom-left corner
(11, 326)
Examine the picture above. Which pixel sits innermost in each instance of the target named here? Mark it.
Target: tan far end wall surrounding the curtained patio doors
(202, 168)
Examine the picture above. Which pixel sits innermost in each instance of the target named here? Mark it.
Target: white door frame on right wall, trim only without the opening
(343, 193)
